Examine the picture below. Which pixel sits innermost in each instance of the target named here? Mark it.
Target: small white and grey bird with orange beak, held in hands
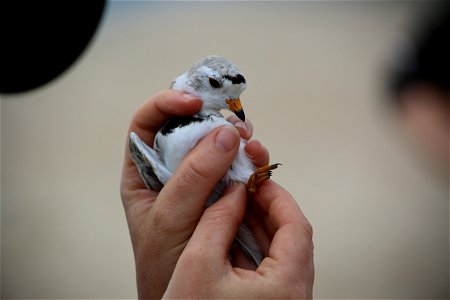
(219, 84)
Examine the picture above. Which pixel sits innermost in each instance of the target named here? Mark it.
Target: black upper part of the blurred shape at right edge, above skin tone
(427, 59)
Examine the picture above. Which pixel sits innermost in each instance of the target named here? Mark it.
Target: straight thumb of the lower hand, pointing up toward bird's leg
(218, 225)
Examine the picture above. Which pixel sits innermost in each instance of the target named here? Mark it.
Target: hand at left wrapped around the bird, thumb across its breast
(161, 223)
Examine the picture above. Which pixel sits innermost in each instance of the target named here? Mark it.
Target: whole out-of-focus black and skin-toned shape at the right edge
(421, 84)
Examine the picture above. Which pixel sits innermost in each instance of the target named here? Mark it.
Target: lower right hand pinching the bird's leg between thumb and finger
(204, 270)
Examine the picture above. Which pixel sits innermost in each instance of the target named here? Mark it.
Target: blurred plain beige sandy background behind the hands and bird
(378, 205)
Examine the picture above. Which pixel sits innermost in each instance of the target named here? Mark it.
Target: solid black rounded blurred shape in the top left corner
(41, 39)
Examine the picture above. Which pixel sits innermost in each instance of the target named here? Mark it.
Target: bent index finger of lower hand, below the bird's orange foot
(292, 242)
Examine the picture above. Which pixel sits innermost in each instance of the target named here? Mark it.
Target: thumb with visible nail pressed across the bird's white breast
(183, 198)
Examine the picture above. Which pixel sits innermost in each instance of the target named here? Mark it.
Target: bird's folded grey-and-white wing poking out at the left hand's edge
(152, 170)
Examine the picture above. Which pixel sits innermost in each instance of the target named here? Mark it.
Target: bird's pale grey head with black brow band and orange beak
(218, 82)
